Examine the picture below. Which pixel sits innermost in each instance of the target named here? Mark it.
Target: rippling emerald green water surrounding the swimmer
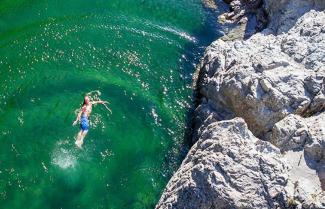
(139, 54)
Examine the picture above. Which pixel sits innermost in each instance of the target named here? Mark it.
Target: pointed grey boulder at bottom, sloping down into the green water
(228, 168)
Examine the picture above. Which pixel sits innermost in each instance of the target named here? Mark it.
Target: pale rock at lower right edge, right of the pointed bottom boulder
(302, 142)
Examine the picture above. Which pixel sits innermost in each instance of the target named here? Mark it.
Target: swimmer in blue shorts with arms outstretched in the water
(83, 118)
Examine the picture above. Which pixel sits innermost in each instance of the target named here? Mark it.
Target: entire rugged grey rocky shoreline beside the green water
(259, 125)
